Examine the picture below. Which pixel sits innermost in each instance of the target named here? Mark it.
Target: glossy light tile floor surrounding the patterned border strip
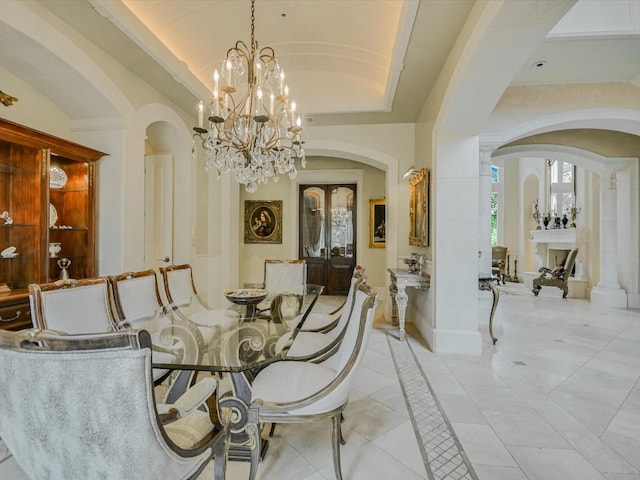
(556, 398)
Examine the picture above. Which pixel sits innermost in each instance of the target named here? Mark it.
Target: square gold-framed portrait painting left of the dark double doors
(263, 221)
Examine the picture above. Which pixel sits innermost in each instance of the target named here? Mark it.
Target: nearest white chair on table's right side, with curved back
(296, 392)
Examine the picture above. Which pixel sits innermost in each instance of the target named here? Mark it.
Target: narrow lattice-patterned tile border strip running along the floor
(441, 450)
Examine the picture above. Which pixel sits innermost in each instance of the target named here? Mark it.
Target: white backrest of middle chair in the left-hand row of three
(136, 294)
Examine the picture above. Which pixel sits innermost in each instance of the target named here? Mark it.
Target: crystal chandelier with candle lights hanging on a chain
(252, 131)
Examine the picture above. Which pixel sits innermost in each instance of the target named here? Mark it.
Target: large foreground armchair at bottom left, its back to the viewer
(104, 422)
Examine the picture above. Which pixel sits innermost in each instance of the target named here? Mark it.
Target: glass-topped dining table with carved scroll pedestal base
(255, 329)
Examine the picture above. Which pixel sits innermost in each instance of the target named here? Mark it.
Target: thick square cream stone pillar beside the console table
(454, 280)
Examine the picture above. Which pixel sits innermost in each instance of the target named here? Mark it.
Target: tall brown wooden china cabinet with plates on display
(47, 197)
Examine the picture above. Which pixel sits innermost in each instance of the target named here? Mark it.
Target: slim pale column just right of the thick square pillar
(484, 211)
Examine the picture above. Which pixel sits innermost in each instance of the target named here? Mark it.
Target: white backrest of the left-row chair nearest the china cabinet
(74, 306)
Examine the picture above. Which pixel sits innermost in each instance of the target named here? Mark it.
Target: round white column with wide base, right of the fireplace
(608, 291)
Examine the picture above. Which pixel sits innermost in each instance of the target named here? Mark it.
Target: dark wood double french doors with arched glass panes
(327, 235)
